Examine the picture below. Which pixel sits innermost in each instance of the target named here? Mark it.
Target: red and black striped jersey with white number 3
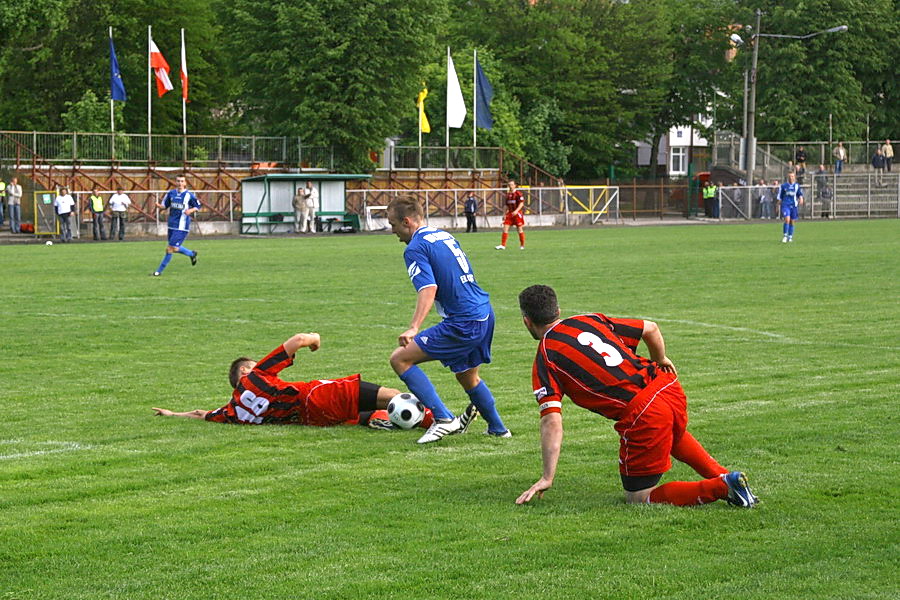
(592, 359)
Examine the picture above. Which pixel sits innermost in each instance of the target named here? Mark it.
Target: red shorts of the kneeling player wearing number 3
(650, 428)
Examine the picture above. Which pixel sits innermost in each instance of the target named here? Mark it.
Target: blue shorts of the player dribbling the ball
(460, 345)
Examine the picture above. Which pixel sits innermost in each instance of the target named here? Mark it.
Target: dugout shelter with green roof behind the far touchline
(267, 208)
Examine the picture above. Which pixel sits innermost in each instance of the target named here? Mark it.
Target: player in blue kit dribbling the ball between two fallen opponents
(443, 277)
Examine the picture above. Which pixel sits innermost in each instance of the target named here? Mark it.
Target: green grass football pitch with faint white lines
(788, 355)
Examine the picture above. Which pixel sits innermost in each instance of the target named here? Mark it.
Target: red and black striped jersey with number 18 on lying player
(262, 397)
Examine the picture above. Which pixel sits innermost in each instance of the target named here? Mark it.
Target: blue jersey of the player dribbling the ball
(433, 258)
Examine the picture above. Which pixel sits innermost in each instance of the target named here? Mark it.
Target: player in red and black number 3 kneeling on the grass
(591, 358)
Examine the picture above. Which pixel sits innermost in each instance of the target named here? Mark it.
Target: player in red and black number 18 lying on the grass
(260, 397)
